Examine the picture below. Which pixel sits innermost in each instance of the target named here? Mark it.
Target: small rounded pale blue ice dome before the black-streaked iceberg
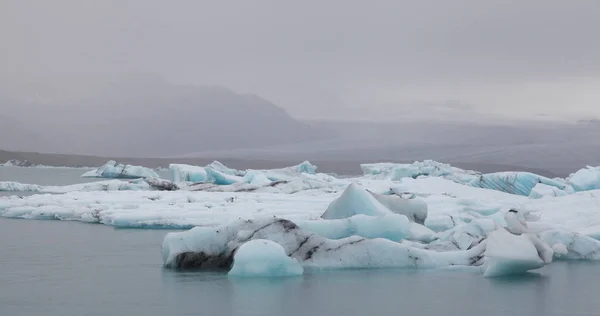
(263, 258)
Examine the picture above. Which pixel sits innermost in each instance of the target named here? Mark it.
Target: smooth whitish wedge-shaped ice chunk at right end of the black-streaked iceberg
(510, 254)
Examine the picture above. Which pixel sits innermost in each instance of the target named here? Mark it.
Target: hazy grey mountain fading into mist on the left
(148, 116)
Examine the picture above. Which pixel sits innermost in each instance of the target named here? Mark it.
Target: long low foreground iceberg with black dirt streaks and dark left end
(213, 247)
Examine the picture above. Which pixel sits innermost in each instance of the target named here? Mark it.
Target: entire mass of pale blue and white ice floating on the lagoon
(423, 215)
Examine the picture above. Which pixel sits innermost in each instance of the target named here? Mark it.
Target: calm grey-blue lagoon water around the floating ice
(70, 268)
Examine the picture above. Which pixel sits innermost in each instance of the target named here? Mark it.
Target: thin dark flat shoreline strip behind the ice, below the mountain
(341, 167)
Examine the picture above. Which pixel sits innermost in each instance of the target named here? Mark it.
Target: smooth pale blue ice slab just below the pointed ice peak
(392, 226)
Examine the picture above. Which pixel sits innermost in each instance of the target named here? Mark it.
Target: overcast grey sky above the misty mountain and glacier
(373, 59)
